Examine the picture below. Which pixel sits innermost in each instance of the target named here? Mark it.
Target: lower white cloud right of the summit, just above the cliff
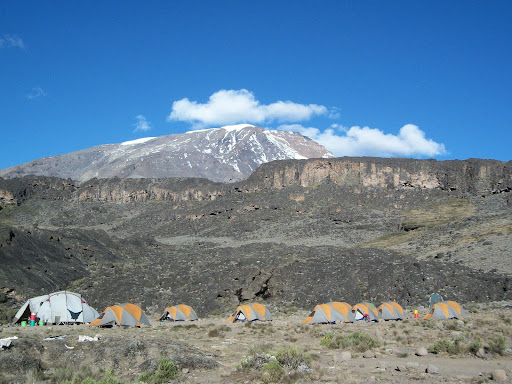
(357, 141)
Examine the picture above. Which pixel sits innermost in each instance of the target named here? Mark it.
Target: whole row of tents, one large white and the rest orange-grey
(66, 307)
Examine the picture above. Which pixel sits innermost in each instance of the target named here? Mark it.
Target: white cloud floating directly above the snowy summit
(240, 106)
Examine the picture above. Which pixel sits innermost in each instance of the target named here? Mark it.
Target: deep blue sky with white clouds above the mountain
(429, 79)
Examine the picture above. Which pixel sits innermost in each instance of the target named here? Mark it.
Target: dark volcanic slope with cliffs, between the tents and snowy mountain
(295, 233)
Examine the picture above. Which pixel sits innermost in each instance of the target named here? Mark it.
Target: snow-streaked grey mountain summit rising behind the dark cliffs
(224, 154)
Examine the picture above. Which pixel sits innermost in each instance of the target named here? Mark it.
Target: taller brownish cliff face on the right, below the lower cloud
(472, 176)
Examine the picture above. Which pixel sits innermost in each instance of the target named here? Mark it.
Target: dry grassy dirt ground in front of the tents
(211, 350)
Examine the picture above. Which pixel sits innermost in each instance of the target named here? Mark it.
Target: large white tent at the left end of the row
(58, 307)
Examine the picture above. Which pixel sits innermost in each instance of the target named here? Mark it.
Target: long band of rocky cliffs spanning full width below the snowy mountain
(475, 177)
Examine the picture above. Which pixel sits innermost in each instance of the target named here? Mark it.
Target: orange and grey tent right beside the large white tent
(124, 314)
